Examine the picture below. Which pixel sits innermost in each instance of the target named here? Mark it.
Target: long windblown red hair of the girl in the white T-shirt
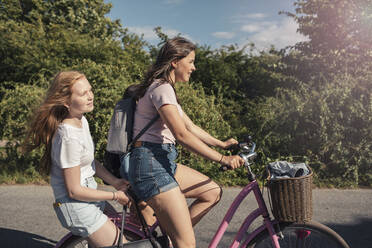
(49, 115)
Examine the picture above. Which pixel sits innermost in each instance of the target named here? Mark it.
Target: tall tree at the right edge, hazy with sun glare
(335, 65)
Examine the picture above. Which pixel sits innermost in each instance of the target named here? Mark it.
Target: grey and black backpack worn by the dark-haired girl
(119, 139)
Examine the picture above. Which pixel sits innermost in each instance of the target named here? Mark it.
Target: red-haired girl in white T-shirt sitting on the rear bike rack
(59, 125)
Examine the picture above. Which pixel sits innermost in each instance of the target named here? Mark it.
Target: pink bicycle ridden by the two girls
(271, 234)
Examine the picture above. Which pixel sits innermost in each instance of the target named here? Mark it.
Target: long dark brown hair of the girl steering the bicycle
(174, 49)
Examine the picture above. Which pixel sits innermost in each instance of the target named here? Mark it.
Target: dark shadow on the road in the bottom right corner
(357, 234)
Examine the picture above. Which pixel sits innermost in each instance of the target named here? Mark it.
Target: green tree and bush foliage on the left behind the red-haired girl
(39, 38)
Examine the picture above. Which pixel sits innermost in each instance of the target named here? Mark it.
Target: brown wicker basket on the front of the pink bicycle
(292, 198)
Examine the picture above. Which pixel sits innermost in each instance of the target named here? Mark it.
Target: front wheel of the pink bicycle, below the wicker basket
(298, 235)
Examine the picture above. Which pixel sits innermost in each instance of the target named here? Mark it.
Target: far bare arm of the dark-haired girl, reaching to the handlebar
(206, 137)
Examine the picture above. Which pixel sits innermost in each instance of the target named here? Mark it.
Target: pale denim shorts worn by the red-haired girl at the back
(79, 217)
